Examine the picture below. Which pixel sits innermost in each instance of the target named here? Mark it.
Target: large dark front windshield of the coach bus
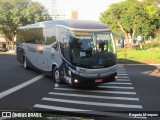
(94, 49)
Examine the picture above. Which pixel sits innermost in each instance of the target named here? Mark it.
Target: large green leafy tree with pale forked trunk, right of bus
(132, 17)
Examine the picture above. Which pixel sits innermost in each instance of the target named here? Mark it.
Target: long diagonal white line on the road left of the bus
(18, 87)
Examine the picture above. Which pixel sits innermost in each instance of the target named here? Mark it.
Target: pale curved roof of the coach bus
(73, 24)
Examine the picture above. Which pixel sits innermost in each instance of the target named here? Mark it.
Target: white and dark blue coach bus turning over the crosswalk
(72, 51)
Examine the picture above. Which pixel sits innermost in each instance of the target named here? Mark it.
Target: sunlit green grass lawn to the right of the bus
(151, 56)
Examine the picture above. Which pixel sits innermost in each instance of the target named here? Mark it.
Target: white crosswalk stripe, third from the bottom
(94, 96)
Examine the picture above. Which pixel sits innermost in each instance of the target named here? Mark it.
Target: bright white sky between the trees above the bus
(87, 9)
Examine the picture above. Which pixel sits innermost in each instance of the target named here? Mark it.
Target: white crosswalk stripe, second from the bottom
(92, 103)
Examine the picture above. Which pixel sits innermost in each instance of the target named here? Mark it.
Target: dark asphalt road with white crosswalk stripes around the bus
(135, 91)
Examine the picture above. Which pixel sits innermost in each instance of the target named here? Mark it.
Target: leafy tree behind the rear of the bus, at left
(16, 13)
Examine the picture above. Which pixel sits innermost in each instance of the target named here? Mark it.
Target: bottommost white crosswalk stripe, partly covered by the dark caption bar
(55, 108)
